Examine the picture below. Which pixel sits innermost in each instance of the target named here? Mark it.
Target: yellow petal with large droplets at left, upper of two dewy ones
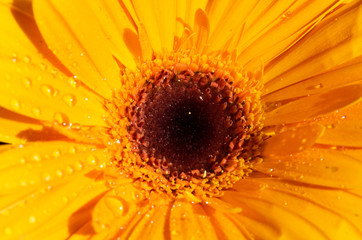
(36, 93)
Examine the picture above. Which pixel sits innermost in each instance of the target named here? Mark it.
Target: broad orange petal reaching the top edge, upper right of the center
(274, 26)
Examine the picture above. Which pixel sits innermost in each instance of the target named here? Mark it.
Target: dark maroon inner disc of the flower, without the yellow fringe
(183, 123)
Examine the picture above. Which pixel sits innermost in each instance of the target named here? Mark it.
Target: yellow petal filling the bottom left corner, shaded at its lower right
(51, 210)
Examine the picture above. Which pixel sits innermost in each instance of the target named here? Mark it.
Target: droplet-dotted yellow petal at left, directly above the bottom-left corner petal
(40, 164)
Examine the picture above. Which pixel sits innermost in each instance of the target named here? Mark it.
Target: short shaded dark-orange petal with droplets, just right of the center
(292, 141)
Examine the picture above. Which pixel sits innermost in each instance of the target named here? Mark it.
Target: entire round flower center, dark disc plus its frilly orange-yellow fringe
(185, 127)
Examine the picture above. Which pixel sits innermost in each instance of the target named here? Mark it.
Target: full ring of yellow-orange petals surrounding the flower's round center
(61, 60)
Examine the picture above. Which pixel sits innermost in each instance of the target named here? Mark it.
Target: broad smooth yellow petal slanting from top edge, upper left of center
(74, 34)
